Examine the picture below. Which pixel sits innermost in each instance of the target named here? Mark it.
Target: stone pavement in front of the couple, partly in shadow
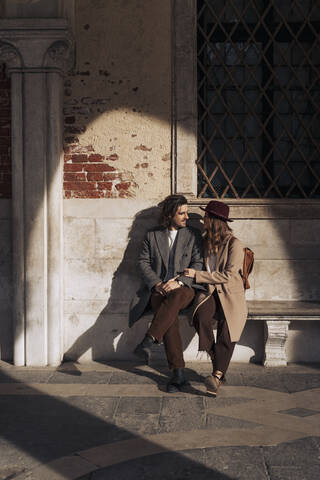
(116, 421)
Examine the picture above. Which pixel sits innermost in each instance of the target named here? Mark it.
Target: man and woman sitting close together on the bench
(175, 274)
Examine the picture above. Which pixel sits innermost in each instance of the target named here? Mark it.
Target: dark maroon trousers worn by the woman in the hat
(220, 350)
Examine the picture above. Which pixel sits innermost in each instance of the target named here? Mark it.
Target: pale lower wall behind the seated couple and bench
(102, 239)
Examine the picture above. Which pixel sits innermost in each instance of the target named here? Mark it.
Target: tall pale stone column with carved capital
(37, 52)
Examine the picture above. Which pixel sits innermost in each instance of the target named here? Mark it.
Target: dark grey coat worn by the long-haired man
(153, 263)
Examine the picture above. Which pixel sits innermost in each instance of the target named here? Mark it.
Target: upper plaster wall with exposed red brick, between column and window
(118, 101)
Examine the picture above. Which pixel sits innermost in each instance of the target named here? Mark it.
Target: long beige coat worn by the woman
(226, 279)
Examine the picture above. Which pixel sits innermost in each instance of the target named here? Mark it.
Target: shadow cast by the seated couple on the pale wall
(110, 338)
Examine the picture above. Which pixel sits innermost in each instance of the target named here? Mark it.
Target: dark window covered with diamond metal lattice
(258, 98)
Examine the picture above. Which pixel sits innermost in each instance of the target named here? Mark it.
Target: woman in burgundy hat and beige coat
(225, 296)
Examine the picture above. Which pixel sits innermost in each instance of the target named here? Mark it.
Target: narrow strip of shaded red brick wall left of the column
(5, 135)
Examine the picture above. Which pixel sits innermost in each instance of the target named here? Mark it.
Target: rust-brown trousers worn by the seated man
(165, 323)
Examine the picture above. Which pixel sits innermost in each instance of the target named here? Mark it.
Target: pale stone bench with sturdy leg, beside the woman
(277, 316)
